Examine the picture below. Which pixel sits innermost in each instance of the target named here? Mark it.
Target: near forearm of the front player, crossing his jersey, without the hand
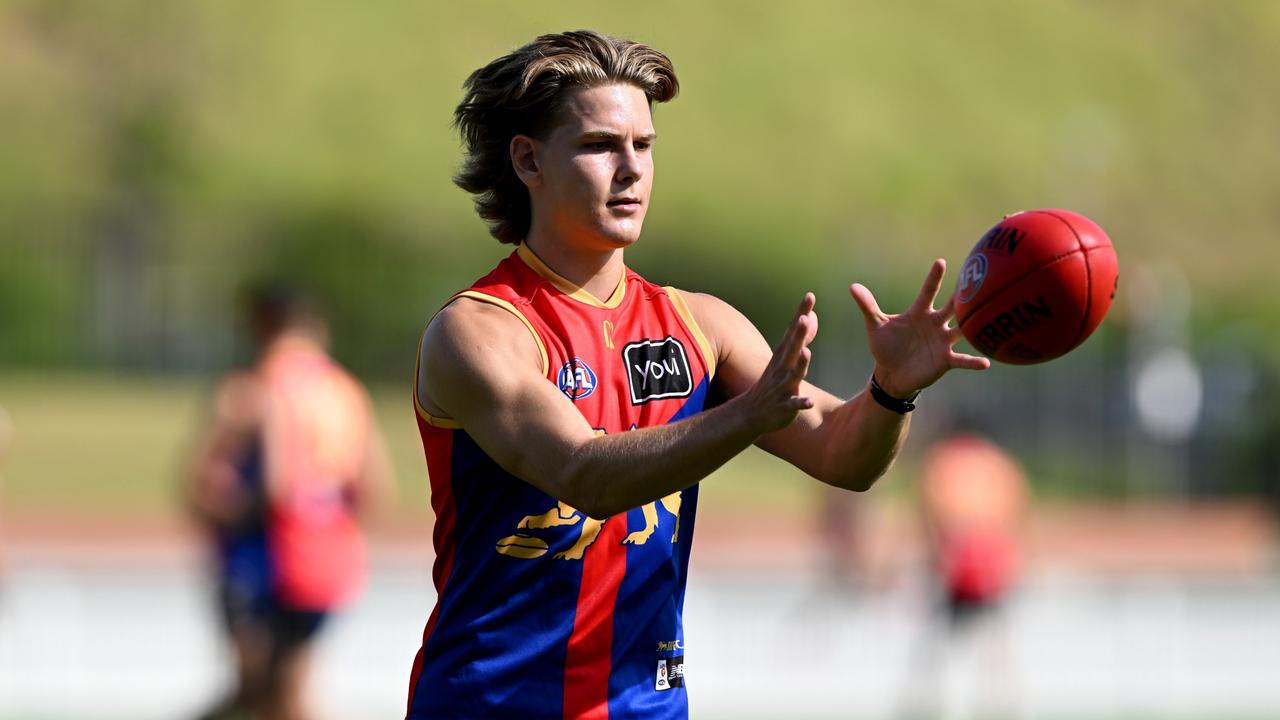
(615, 473)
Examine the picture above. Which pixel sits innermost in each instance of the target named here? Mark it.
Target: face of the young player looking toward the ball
(597, 168)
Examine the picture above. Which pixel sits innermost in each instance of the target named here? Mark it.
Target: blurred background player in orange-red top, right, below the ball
(973, 502)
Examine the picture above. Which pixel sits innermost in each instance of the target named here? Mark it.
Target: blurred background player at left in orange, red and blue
(291, 458)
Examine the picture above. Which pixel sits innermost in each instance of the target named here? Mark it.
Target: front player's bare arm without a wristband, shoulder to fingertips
(482, 368)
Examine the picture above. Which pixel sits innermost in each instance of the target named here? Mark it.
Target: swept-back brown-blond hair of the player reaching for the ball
(523, 93)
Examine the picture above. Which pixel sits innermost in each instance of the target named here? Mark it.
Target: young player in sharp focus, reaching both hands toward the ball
(566, 404)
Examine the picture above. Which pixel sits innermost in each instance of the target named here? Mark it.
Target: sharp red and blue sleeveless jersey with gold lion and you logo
(543, 612)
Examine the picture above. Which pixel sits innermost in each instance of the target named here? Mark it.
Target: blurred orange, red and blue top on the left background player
(301, 546)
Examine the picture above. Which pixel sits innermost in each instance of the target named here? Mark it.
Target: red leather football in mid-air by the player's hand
(1036, 286)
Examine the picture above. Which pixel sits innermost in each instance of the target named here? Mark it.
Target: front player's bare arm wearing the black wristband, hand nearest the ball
(845, 444)
